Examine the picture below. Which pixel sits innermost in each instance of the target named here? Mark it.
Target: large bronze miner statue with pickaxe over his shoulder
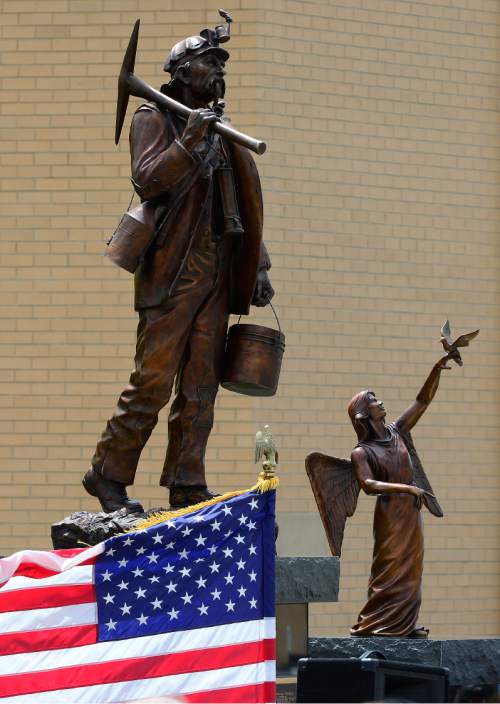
(205, 260)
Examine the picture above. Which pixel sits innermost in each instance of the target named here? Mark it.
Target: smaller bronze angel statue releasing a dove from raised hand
(385, 463)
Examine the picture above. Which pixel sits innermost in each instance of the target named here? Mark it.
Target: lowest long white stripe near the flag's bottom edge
(205, 682)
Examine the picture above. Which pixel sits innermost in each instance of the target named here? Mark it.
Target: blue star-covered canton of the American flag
(207, 568)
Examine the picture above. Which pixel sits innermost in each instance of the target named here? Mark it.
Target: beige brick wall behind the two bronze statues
(381, 187)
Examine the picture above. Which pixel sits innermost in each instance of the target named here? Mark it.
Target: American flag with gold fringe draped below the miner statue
(182, 608)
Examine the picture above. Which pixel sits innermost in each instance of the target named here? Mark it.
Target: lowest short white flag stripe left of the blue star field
(40, 619)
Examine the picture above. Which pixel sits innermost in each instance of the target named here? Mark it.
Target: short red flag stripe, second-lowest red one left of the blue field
(46, 598)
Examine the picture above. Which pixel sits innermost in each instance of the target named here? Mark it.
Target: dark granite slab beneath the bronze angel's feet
(470, 662)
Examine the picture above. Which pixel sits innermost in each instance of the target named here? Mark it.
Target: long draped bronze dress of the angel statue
(394, 589)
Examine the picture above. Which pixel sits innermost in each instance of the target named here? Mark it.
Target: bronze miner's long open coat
(166, 174)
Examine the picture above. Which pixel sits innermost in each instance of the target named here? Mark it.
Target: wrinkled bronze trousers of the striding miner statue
(181, 340)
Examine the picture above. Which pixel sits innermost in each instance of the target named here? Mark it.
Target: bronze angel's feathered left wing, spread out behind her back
(336, 491)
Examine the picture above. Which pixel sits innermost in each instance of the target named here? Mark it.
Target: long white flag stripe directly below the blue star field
(145, 646)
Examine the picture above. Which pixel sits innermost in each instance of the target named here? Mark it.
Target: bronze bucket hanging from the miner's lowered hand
(253, 359)
